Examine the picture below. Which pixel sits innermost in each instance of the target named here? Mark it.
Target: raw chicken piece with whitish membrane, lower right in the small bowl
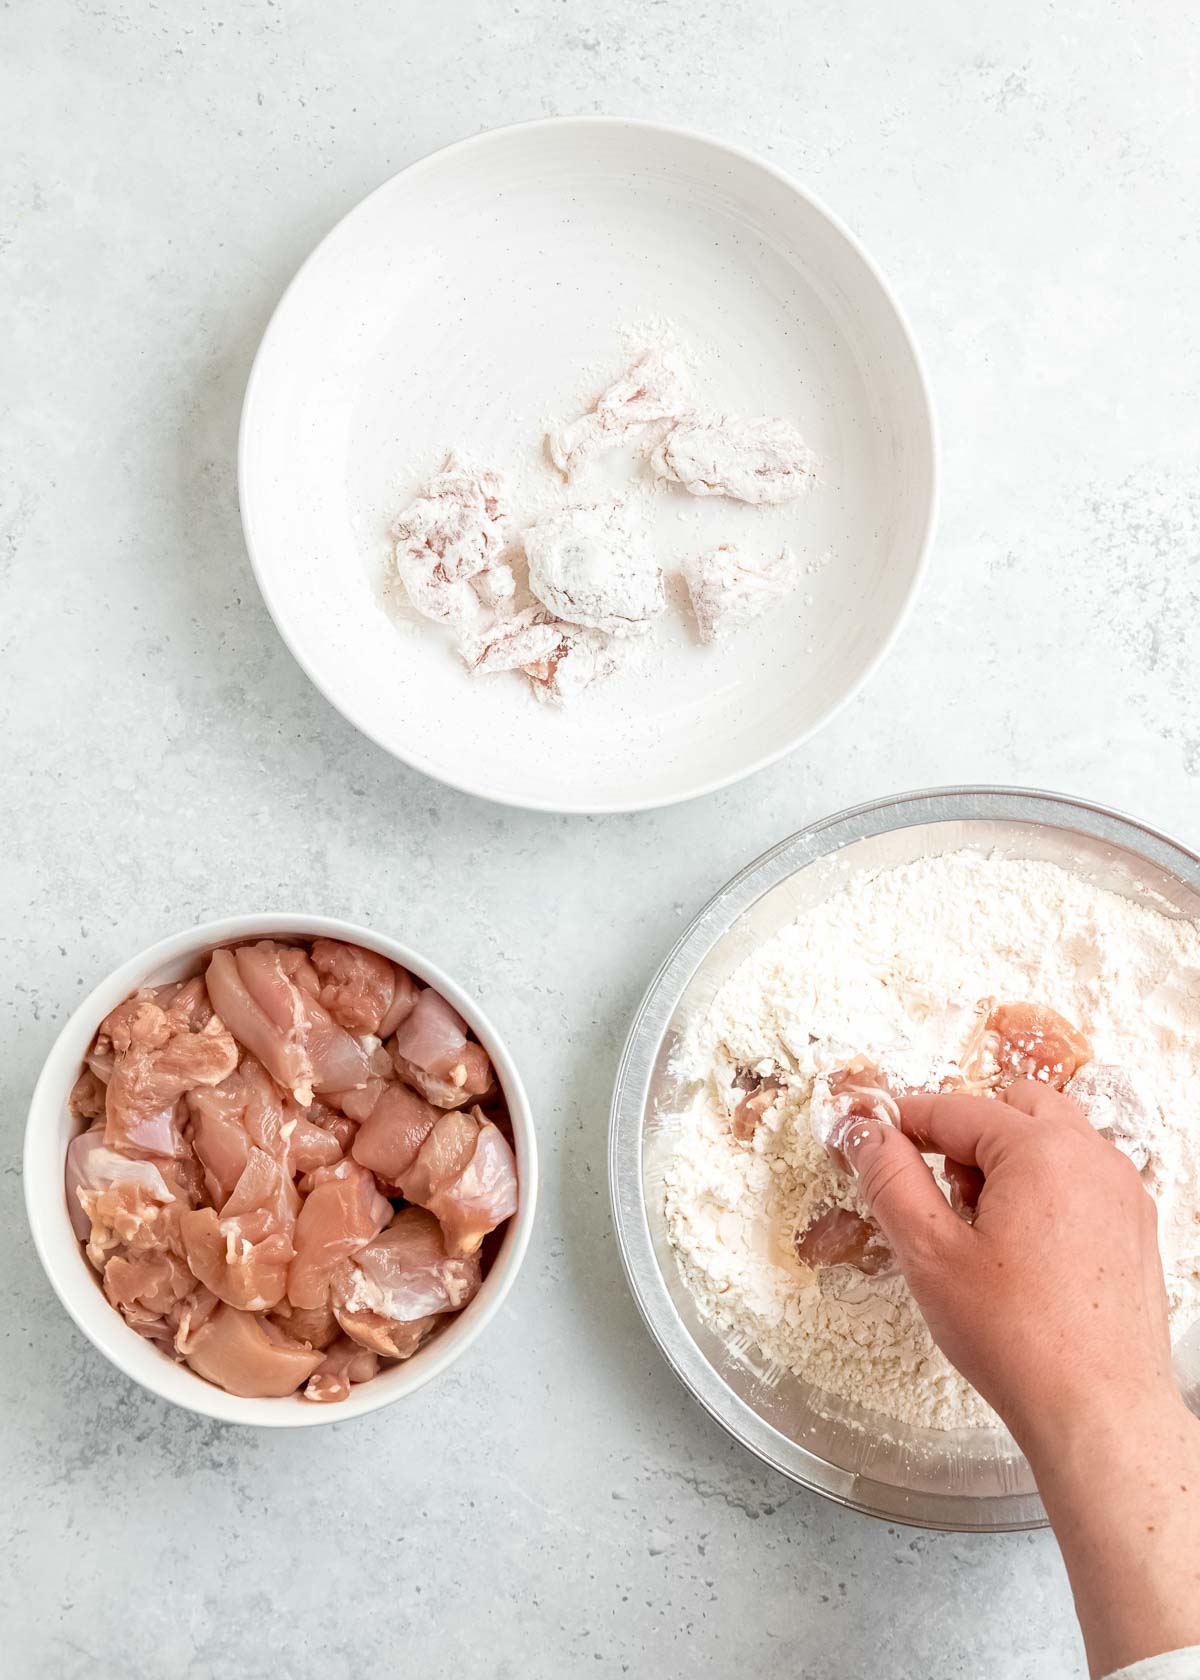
(391, 1294)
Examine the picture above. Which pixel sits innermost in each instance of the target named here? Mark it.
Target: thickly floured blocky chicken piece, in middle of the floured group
(594, 567)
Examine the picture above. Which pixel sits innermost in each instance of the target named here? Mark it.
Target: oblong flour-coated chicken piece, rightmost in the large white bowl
(750, 461)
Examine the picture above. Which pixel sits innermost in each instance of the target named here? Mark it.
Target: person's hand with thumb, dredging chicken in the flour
(1053, 1301)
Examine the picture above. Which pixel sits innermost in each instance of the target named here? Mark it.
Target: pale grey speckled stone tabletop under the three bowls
(1026, 176)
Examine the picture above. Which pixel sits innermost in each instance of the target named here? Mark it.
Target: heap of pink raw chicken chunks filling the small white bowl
(229, 1200)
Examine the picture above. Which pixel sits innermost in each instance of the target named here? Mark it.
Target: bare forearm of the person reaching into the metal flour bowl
(1122, 1489)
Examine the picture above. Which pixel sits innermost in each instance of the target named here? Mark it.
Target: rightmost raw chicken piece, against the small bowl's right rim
(465, 1173)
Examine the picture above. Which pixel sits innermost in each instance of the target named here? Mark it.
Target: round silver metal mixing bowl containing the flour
(939, 1479)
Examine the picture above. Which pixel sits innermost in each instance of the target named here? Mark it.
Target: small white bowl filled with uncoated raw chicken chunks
(51, 1128)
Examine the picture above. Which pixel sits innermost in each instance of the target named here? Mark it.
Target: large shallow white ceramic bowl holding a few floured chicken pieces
(483, 291)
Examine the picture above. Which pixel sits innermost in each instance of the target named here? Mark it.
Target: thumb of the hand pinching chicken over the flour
(902, 1192)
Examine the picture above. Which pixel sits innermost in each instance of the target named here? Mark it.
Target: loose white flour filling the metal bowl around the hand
(895, 969)
